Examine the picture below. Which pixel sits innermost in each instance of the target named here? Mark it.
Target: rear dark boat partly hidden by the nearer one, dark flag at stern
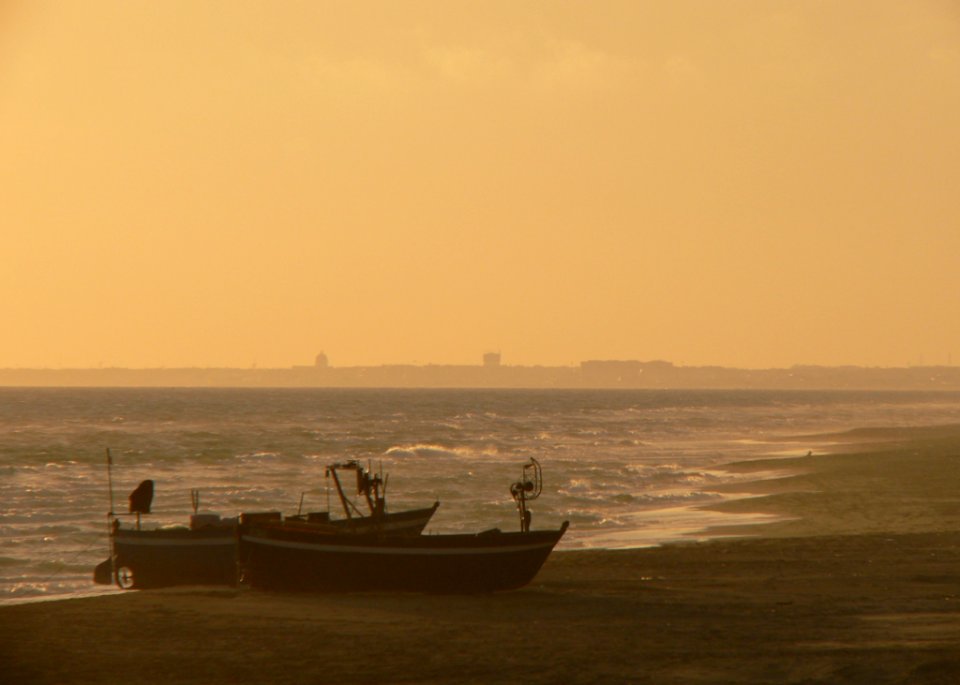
(205, 553)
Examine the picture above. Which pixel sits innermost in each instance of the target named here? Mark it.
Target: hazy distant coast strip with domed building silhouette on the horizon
(597, 374)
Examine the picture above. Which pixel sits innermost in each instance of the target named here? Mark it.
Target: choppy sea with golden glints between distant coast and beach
(626, 468)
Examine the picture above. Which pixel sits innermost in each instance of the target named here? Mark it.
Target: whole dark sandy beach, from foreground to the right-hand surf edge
(859, 583)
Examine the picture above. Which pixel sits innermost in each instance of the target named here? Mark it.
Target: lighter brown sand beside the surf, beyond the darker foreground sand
(897, 480)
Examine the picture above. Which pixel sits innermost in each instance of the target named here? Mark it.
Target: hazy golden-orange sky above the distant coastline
(195, 183)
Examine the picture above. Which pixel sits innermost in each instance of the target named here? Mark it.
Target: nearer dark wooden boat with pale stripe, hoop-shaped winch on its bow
(277, 556)
